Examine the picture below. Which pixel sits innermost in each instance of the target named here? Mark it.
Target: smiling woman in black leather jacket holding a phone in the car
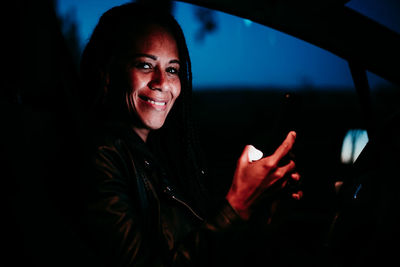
(145, 202)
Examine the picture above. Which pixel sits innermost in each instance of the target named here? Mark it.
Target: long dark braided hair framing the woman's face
(102, 70)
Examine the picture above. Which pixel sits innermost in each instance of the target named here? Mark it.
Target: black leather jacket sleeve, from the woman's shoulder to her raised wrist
(120, 229)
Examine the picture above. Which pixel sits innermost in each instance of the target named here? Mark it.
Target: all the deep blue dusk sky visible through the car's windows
(239, 53)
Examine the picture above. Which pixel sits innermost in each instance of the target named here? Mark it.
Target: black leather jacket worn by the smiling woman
(135, 217)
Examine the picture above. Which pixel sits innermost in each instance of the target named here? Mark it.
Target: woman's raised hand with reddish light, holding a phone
(253, 178)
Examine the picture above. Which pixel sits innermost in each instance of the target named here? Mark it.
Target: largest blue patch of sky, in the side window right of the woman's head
(238, 53)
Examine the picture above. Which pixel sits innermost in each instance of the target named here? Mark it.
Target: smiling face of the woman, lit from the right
(154, 78)
